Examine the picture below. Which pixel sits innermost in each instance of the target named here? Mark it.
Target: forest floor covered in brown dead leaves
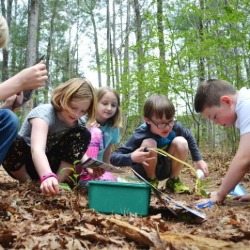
(30, 220)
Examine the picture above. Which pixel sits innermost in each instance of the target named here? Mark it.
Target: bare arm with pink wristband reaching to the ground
(39, 135)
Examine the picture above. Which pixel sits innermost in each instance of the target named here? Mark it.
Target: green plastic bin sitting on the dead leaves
(119, 197)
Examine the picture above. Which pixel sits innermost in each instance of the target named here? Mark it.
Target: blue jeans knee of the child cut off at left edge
(9, 125)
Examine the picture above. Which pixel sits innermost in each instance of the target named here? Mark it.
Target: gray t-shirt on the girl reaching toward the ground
(57, 128)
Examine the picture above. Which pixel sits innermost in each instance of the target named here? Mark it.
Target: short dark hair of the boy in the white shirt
(209, 92)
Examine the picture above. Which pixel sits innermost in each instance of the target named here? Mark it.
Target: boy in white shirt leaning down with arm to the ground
(220, 102)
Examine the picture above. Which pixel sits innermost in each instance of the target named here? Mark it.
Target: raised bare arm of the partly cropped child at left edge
(29, 78)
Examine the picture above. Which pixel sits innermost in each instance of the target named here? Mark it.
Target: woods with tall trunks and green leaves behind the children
(139, 47)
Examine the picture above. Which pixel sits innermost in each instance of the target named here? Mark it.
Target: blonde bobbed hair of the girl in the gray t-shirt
(76, 88)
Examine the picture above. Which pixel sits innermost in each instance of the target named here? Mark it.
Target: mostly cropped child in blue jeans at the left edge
(30, 78)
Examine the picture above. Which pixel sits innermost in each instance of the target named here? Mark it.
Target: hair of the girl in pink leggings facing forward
(116, 120)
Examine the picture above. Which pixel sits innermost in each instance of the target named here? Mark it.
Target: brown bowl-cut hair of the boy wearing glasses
(158, 105)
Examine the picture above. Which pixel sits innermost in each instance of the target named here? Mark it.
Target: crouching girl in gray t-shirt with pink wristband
(52, 137)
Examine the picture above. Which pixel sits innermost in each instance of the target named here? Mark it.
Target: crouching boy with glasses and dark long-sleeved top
(160, 130)
